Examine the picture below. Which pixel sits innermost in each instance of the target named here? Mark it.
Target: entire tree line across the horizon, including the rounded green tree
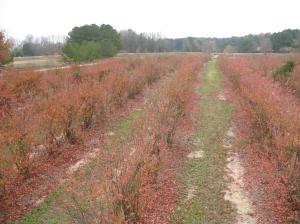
(89, 42)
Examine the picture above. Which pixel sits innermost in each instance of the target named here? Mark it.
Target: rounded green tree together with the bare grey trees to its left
(84, 43)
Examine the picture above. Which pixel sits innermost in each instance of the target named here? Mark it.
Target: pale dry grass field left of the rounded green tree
(37, 62)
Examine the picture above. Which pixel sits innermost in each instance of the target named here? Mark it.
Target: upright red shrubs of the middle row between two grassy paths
(137, 165)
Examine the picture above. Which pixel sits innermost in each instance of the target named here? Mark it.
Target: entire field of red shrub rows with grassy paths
(152, 138)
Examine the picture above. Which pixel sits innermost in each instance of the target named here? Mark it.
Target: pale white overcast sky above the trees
(170, 18)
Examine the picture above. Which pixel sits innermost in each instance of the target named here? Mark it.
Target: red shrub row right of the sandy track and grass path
(270, 117)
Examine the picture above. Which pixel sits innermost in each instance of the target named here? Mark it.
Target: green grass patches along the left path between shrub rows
(49, 212)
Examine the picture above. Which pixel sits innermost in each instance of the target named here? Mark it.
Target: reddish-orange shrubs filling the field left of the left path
(44, 109)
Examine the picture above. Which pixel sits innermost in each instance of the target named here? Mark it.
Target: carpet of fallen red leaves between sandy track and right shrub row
(267, 190)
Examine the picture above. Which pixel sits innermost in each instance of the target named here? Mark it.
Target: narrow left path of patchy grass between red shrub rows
(50, 209)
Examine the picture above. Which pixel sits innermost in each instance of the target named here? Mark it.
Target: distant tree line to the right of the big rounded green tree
(284, 41)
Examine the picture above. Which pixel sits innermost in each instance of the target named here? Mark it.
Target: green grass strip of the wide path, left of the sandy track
(207, 173)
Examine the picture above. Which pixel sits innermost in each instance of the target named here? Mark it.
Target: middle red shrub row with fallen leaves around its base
(132, 168)
